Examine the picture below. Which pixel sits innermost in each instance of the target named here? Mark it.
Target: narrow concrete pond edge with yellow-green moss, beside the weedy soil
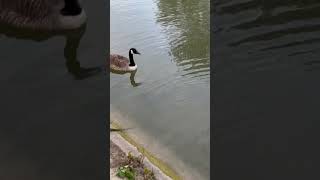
(127, 144)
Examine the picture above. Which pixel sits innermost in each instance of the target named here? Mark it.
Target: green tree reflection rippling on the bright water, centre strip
(186, 25)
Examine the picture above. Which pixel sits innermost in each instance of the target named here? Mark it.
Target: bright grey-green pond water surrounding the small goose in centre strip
(168, 98)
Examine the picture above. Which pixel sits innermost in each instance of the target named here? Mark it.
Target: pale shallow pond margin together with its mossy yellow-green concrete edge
(163, 157)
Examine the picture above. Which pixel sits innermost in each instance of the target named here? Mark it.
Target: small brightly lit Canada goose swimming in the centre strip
(121, 63)
